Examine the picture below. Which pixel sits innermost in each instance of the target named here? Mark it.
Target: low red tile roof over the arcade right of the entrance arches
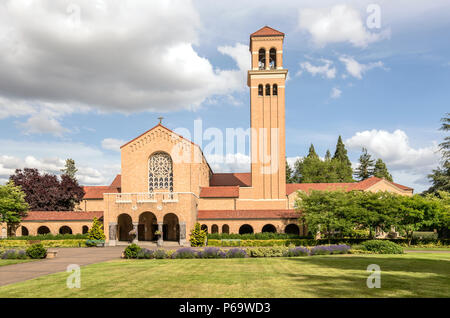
(247, 214)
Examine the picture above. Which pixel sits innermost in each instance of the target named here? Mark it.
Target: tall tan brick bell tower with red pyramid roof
(266, 81)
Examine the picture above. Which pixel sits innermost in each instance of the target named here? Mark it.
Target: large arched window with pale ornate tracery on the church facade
(160, 175)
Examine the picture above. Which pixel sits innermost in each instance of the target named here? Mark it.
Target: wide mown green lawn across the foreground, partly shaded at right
(409, 275)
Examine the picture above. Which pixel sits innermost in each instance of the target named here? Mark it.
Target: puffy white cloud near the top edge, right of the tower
(339, 23)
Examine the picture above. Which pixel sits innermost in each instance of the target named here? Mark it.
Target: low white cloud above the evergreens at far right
(394, 148)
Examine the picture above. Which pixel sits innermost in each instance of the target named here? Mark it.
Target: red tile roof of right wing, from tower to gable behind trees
(362, 185)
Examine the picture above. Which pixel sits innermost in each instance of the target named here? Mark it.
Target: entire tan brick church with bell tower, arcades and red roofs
(166, 185)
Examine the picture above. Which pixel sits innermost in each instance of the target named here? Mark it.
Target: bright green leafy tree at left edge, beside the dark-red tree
(12, 203)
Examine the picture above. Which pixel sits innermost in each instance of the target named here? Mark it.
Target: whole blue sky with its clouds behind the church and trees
(80, 77)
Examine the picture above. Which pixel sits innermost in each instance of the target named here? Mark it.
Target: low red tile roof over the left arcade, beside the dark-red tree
(62, 216)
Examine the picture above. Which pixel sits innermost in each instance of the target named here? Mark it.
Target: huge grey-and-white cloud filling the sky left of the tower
(70, 52)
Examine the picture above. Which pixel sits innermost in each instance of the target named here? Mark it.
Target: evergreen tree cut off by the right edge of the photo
(440, 177)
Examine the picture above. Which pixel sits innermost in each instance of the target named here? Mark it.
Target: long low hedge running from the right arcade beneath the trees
(312, 242)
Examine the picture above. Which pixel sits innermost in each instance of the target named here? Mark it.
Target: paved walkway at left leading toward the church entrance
(81, 256)
